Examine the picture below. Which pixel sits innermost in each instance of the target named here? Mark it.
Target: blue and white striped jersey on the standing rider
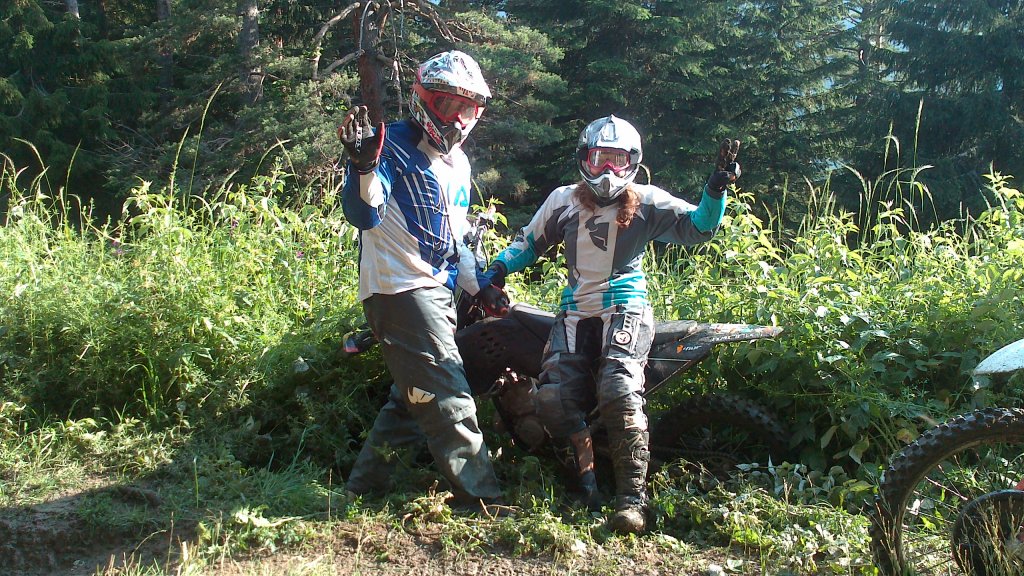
(411, 212)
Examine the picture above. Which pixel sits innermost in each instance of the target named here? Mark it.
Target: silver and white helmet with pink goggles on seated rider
(609, 156)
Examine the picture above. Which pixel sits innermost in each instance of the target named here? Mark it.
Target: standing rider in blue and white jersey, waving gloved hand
(408, 190)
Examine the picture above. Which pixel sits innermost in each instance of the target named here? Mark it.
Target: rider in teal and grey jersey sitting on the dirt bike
(598, 350)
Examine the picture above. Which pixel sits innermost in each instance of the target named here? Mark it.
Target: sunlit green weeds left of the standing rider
(186, 310)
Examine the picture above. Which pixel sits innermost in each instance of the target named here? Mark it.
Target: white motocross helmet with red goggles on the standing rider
(449, 97)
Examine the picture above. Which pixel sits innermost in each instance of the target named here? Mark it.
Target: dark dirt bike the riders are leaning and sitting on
(503, 356)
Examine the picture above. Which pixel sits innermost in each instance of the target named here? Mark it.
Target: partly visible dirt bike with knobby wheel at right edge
(953, 502)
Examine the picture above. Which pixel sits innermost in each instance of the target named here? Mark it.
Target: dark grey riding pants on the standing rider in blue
(430, 401)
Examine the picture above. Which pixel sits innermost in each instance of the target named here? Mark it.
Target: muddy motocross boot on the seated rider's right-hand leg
(630, 459)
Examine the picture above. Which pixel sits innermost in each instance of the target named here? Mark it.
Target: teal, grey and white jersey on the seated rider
(606, 262)
